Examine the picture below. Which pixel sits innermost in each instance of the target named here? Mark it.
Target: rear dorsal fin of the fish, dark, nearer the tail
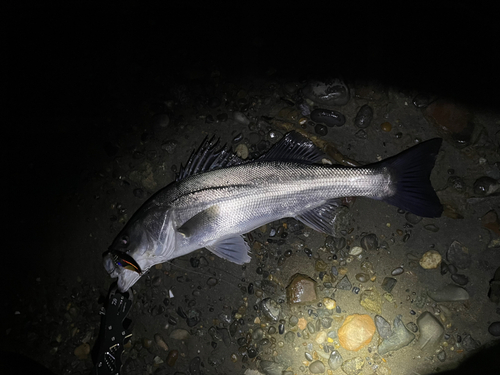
(294, 147)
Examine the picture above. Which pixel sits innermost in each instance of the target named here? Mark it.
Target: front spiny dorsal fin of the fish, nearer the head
(207, 158)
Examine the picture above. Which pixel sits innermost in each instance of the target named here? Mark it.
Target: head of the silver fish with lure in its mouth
(146, 240)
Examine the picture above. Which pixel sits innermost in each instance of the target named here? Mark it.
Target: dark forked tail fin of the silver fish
(411, 170)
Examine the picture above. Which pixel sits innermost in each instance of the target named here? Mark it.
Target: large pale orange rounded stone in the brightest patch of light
(356, 332)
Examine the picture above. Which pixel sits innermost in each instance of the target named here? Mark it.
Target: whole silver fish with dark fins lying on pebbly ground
(217, 198)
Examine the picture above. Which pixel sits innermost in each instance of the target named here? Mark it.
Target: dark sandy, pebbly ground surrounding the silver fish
(105, 106)
